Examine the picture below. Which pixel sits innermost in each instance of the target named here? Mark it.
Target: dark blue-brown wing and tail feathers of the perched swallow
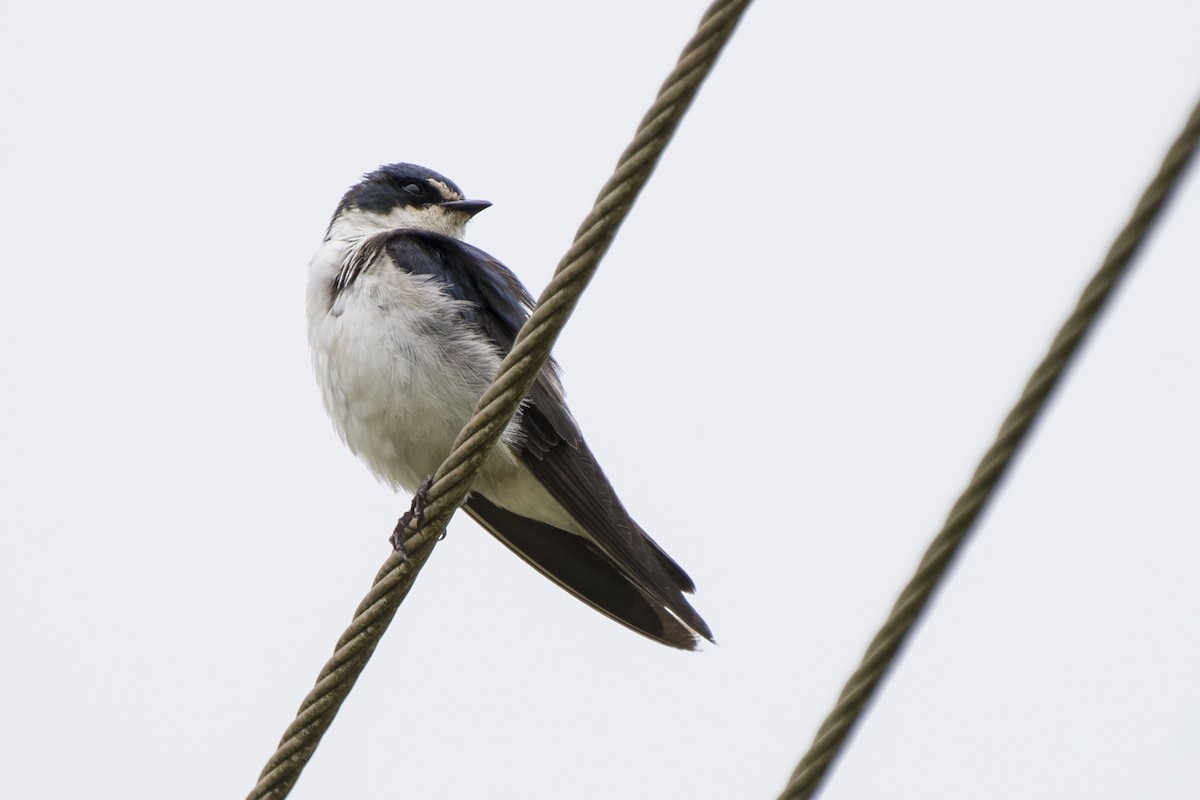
(553, 448)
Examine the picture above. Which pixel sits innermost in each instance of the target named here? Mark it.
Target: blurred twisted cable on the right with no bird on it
(883, 653)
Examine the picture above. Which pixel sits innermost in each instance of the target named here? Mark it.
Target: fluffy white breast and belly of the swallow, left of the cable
(399, 371)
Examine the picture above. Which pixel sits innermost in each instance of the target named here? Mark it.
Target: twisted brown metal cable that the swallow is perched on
(500, 404)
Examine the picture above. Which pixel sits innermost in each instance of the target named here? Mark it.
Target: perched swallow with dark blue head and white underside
(409, 326)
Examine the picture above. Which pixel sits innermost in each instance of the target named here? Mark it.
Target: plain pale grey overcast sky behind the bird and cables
(856, 250)
